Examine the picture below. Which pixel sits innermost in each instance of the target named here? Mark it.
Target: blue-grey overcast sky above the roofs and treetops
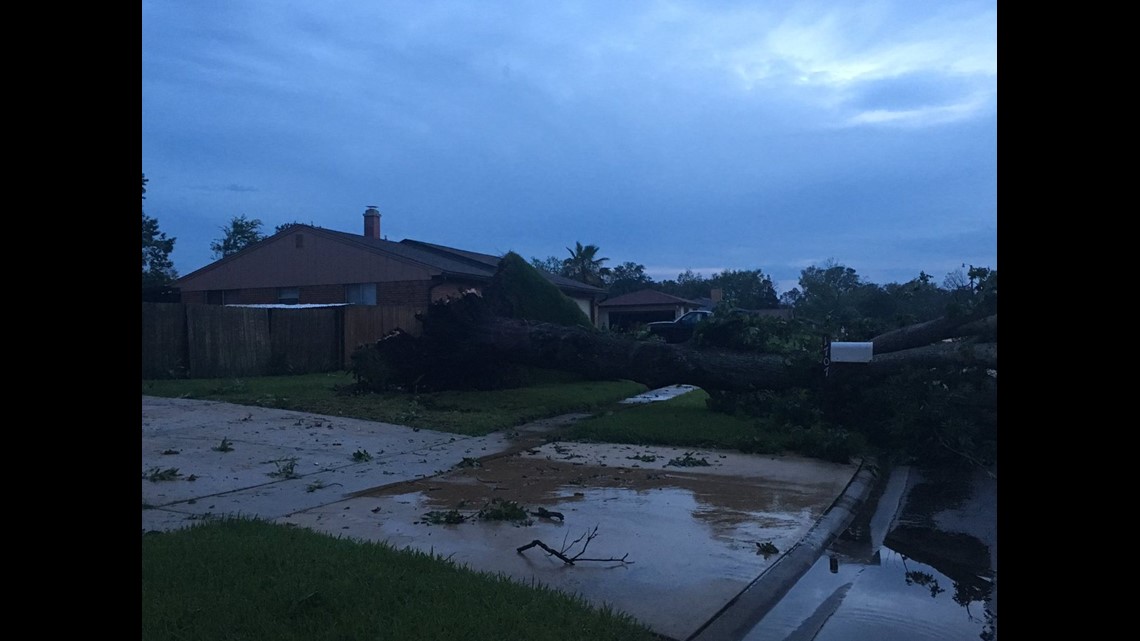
(678, 135)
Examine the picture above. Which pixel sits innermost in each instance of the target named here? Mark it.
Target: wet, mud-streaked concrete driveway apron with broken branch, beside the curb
(674, 534)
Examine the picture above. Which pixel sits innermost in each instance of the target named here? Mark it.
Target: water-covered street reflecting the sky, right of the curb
(921, 566)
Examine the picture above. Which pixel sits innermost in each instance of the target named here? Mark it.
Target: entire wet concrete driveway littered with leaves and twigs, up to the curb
(669, 535)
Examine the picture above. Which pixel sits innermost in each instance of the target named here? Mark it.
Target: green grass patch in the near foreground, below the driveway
(254, 581)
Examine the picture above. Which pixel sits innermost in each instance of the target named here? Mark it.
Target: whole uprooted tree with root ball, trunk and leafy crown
(930, 390)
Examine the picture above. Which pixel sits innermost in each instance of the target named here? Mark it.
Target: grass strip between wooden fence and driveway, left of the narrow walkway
(471, 413)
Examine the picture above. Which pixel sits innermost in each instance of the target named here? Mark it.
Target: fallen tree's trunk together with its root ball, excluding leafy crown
(467, 334)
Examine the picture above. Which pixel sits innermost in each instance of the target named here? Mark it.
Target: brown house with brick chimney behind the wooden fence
(305, 265)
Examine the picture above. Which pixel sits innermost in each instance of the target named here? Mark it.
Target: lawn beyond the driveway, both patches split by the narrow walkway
(685, 421)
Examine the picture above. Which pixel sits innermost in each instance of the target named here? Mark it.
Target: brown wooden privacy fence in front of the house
(207, 342)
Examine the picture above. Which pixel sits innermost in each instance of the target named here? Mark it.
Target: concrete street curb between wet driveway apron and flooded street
(745, 611)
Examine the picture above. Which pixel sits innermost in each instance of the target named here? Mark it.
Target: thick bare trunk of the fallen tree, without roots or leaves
(657, 364)
